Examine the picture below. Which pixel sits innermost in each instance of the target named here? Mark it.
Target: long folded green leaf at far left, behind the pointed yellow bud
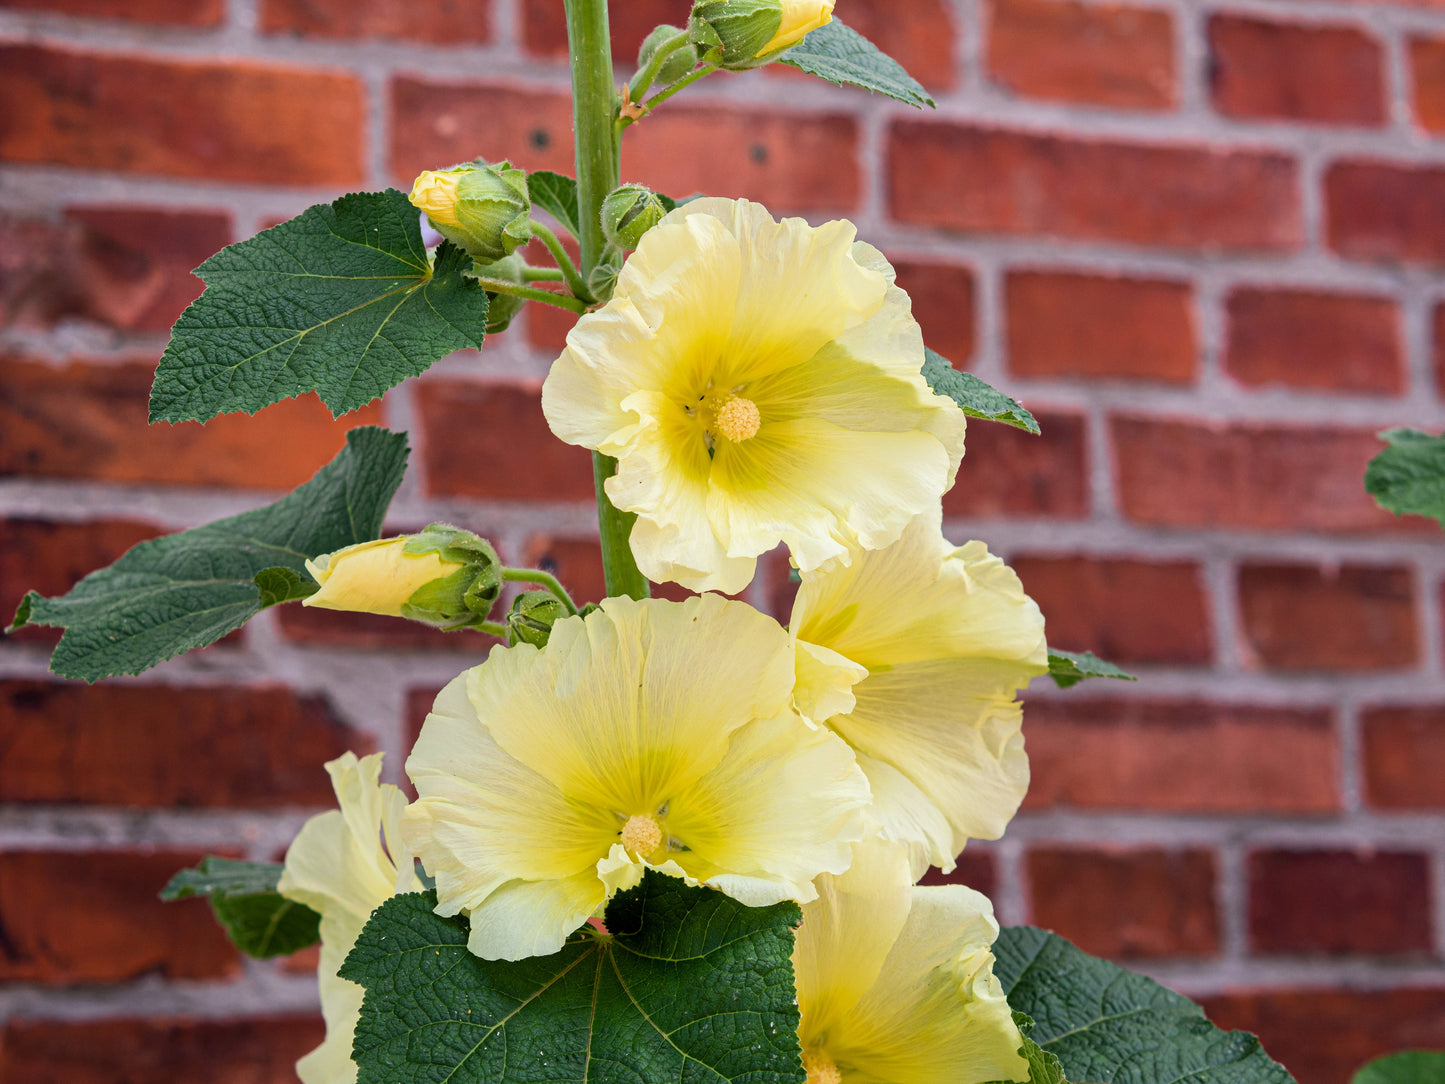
(183, 592)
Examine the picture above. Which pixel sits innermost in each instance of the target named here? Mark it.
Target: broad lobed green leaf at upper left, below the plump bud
(340, 300)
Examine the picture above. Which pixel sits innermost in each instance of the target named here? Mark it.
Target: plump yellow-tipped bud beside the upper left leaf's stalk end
(482, 207)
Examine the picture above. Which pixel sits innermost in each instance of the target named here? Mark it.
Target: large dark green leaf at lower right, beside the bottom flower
(1113, 1027)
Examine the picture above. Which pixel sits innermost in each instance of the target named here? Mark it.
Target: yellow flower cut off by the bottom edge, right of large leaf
(895, 982)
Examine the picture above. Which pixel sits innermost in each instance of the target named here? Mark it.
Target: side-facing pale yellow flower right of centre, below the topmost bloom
(914, 655)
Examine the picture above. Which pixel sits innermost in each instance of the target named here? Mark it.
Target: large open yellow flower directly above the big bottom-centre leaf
(647, 735)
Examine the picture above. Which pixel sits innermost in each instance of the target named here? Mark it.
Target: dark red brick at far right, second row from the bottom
(1339, 903)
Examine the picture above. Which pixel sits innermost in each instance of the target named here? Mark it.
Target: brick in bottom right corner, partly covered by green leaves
(1324, 1037)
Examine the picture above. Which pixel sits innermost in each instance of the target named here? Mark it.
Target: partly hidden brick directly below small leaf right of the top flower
(1011, 473)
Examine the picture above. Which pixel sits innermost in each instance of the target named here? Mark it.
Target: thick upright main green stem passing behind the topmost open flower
(595, 115)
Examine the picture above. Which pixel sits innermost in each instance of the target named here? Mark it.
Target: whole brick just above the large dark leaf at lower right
(1128, 904)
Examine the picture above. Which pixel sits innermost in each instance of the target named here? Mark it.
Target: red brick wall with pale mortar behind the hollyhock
(1202, 239)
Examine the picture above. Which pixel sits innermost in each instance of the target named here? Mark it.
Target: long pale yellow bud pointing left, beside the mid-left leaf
(444, 577)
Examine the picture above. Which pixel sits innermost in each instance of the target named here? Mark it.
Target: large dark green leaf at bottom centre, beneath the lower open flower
(691, 986)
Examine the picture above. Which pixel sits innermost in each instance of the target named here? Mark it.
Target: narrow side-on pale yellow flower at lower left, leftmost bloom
(345, 865)
